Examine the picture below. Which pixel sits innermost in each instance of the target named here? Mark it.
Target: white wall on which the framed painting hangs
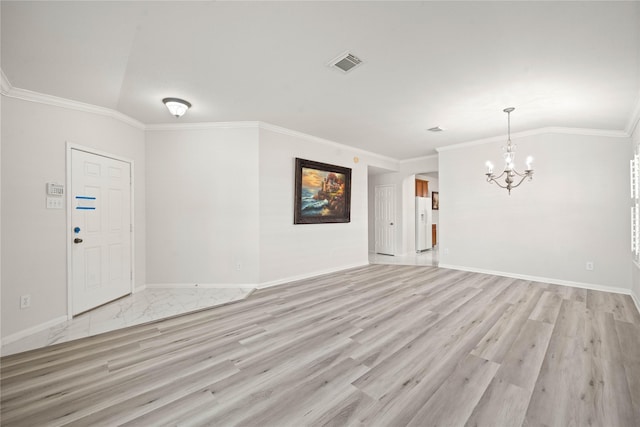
(289, 251)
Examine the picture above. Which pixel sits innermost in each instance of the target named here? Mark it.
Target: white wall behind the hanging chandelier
(575, 210)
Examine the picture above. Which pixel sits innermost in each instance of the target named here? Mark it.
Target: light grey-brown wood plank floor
(380, 345)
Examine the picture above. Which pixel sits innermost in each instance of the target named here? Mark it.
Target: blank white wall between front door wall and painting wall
(203, 210)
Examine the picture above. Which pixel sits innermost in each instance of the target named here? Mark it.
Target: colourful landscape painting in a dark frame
(322, 193)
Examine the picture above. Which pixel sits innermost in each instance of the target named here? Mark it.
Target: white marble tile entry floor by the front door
(138, 308)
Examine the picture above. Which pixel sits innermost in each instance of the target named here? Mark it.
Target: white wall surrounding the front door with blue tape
(34, 137)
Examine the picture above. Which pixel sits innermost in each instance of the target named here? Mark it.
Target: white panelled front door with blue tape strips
(100, 230)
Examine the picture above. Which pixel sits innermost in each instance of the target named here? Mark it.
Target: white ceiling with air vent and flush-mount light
(449, 64)
